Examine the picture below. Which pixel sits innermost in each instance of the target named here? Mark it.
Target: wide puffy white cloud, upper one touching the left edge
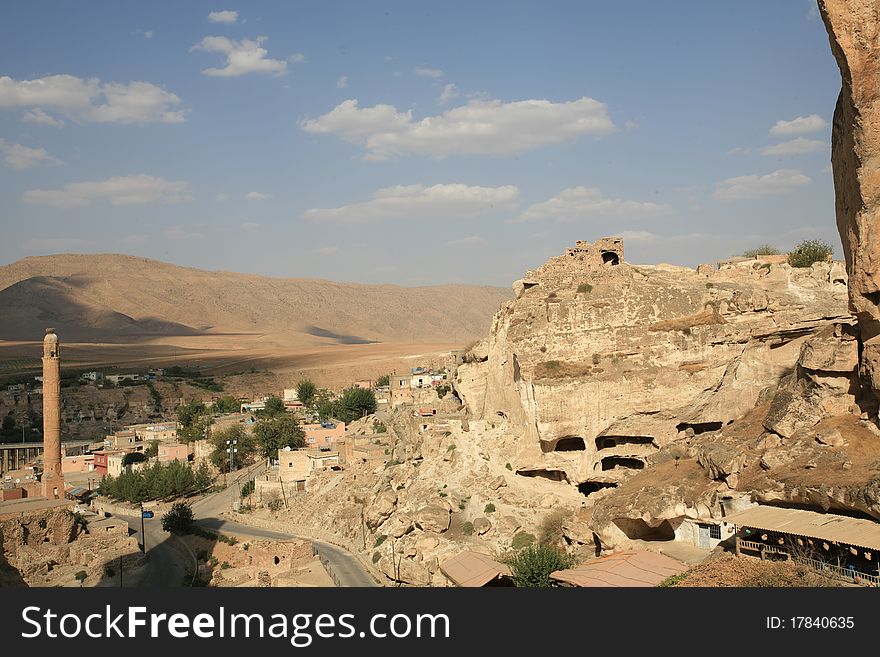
(89, 100)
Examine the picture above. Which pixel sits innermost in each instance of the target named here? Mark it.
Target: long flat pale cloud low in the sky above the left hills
(124, 190)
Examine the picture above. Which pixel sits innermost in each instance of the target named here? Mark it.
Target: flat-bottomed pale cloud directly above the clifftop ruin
(576, 203)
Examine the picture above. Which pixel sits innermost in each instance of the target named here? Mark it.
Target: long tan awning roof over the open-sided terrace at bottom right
(822, 526)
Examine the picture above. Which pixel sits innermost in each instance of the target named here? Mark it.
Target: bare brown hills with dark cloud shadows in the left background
(111, 297)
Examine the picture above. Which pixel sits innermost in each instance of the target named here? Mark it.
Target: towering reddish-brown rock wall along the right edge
(855, 155)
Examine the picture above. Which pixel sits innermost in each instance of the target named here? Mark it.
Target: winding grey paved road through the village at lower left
(169, 559)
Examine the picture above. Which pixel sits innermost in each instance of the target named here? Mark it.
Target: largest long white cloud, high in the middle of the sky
(480, 127)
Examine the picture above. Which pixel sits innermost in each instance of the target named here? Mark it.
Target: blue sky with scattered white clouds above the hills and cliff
(413, 143)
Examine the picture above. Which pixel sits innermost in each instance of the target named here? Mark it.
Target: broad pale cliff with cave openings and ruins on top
(598, 364)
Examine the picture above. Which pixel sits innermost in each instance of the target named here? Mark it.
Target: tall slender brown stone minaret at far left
(53, 480)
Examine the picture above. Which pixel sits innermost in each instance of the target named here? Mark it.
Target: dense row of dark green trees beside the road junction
(156, 482)
